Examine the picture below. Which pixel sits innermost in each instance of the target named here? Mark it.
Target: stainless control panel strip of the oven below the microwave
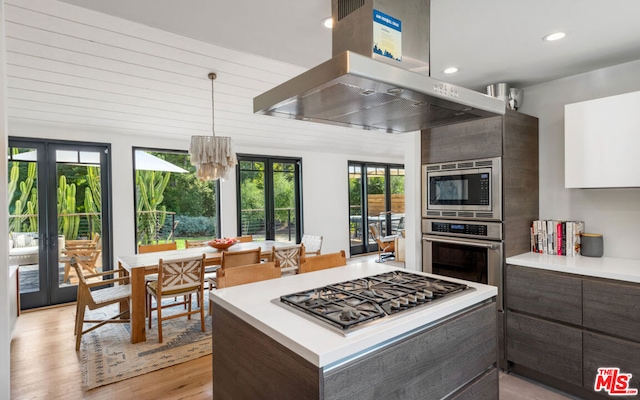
(479, 230)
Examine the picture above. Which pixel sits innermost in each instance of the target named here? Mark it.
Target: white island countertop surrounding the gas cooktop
(322, 346)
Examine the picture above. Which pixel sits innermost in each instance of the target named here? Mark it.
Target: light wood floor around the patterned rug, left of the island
(45, 365)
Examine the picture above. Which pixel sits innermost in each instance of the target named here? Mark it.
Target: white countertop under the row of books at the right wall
(622, 269)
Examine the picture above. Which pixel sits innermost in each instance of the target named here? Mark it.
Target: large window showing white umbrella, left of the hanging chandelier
(172, 204)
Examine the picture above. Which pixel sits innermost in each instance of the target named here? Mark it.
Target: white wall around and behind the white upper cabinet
(613, 212)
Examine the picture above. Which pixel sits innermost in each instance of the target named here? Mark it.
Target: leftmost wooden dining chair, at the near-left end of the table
(98, 298)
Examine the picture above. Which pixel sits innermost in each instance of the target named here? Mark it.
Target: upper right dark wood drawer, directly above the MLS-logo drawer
(612, 307)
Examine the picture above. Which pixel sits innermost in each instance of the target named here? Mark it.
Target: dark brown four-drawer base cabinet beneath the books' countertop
(562, 327)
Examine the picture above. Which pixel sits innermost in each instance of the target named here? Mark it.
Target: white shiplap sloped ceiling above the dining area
(73, 67)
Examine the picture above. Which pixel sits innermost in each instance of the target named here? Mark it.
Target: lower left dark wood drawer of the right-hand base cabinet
(547, 347)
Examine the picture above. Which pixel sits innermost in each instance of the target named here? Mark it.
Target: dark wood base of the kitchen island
(452, 359)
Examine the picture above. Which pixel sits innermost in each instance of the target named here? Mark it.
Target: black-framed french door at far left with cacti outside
(56, 211)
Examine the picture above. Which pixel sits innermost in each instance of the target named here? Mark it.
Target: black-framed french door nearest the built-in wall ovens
(376, 196)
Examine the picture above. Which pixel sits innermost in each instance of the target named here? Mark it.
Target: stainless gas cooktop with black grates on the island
(355, 303)
